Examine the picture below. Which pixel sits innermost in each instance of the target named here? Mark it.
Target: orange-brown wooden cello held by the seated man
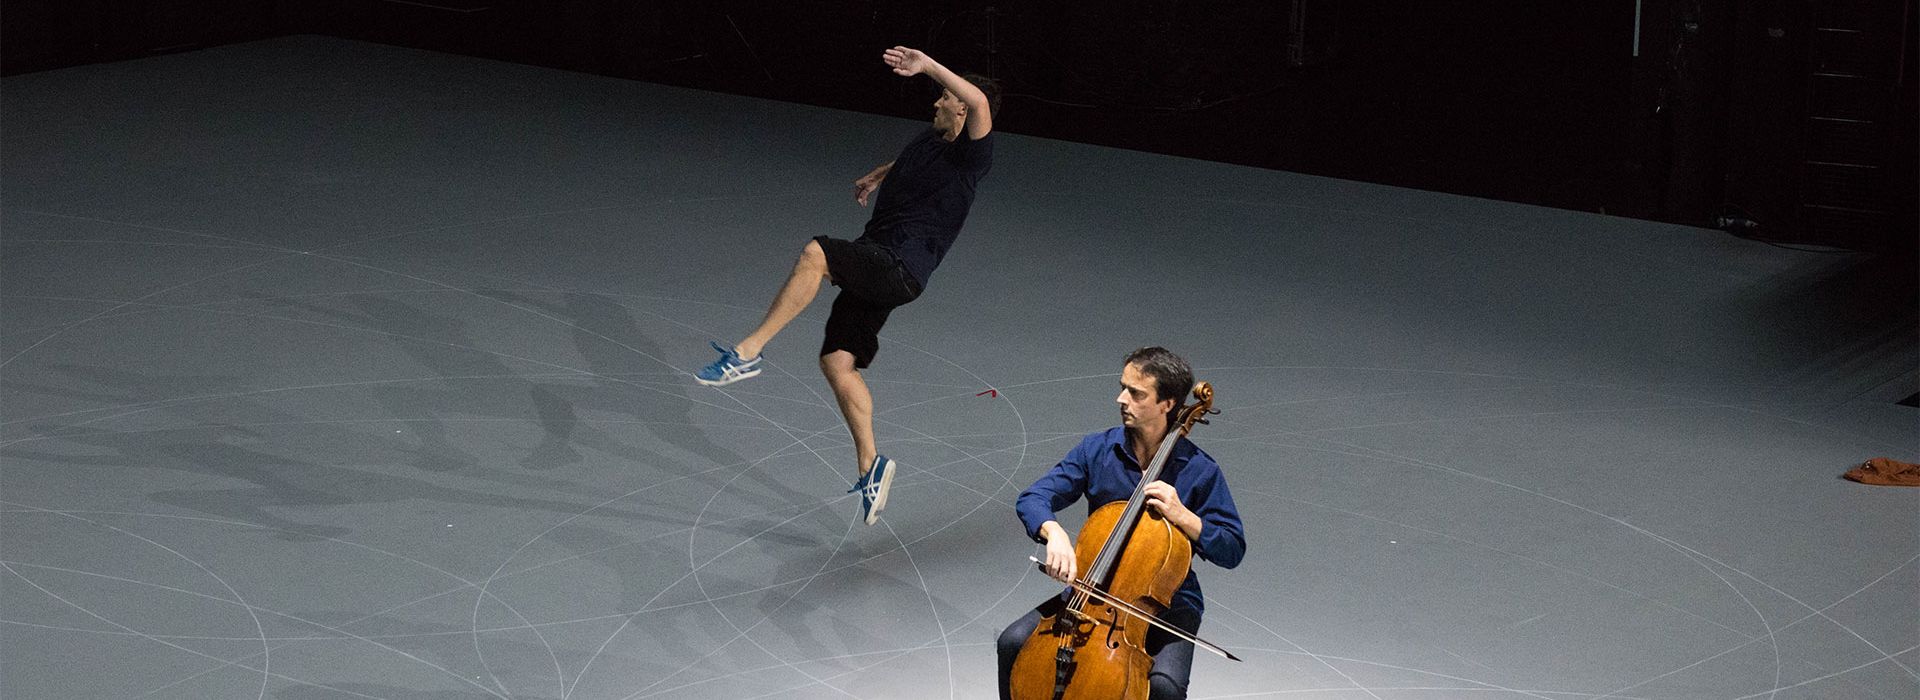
(1095, 647)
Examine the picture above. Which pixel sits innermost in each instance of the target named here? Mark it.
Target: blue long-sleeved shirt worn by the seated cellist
(1105, 471)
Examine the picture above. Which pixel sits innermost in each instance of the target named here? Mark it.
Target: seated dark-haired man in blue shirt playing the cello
(1107, 467)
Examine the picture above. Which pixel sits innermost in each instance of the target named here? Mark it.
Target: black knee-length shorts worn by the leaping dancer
(873, 285)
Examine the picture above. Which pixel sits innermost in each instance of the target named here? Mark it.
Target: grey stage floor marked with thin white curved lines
(339, 371)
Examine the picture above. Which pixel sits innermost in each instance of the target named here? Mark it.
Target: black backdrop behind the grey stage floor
(1524, 101)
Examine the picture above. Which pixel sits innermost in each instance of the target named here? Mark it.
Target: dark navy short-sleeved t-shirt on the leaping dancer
(926, 197)
